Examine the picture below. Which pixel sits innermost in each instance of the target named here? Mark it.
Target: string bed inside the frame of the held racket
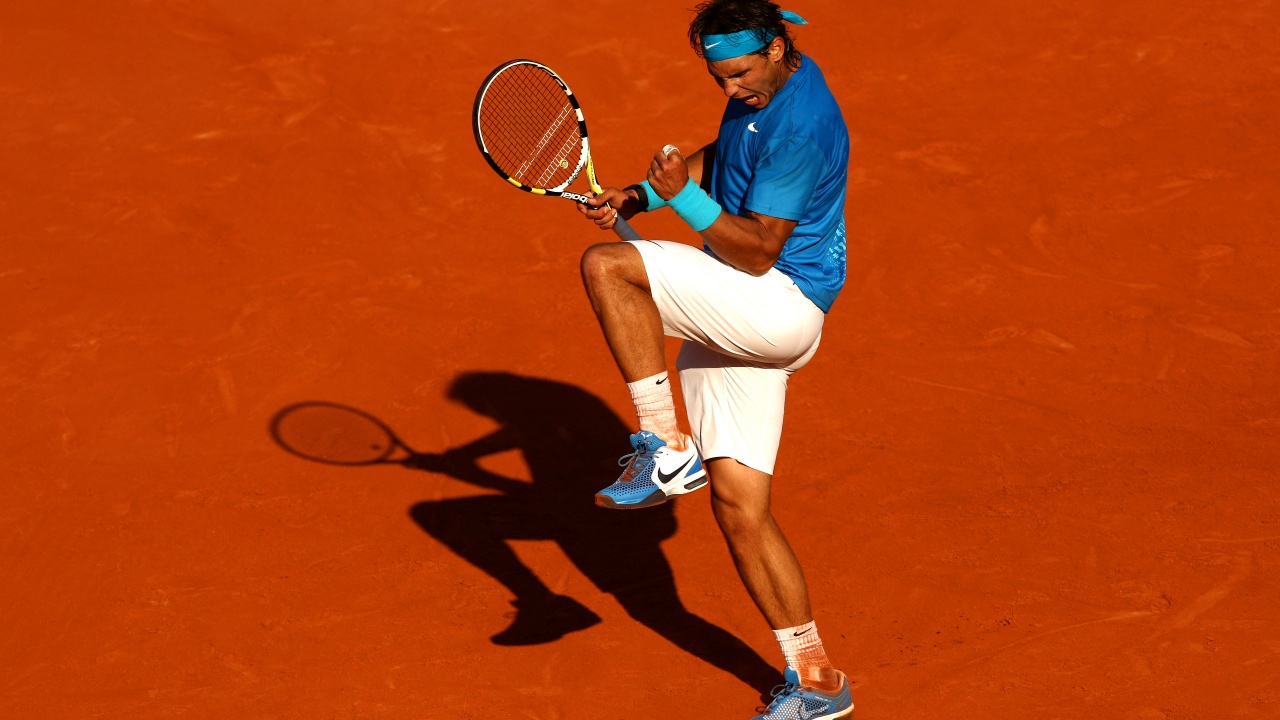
(531, 129)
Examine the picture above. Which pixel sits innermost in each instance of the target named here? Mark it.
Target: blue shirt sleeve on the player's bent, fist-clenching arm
(785, 179)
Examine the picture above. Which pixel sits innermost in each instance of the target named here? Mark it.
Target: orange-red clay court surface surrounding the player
(1031, 473)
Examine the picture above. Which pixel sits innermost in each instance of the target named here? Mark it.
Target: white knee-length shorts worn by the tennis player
(744, 336)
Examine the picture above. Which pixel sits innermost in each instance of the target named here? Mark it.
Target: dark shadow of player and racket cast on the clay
(570, 441)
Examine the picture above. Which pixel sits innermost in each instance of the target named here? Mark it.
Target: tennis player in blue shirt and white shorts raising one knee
(769, 200)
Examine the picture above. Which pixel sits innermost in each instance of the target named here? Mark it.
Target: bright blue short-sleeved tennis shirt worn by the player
(790, 161)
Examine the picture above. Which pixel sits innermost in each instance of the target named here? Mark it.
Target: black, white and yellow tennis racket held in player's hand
(531, 129)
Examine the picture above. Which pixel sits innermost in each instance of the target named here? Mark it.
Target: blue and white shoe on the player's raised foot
(653, 473)
